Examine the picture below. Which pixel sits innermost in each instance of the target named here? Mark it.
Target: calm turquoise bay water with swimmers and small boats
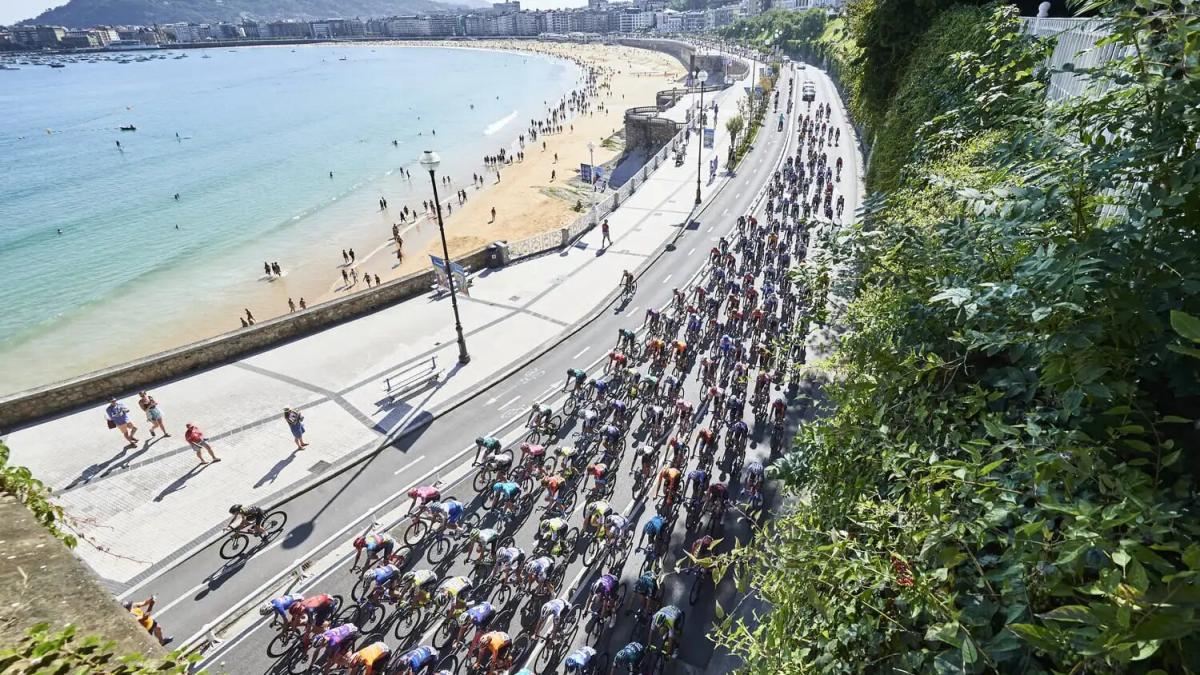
(259, 133)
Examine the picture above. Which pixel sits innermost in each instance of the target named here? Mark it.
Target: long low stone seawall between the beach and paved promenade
(130, 378)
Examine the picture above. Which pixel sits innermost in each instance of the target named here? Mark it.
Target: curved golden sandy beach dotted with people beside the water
(527, 202)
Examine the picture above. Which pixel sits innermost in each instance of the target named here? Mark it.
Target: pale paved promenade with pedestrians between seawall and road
(137, 507)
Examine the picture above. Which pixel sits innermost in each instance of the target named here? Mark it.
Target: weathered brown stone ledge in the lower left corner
(43, 581)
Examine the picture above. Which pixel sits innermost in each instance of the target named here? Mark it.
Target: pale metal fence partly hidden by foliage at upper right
(1077, 44)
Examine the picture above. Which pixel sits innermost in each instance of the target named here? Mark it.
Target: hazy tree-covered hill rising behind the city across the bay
(82, 14)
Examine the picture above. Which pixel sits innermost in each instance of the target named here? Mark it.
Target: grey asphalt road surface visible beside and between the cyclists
(205, 587)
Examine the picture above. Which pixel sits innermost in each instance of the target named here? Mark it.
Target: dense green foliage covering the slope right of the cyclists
(1005, 480)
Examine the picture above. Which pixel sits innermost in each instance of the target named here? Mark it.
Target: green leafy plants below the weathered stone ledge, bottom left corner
(45, 652)
